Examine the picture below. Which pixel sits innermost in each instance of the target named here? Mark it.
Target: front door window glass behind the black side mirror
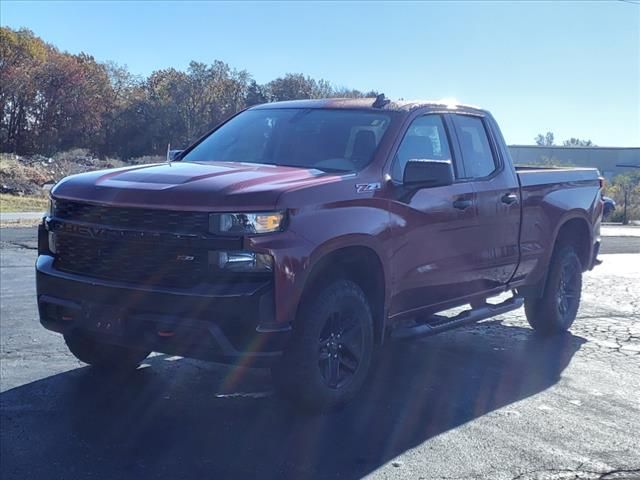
(425, 138)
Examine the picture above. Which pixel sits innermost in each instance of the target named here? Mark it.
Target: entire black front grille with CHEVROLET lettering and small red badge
(135, 245)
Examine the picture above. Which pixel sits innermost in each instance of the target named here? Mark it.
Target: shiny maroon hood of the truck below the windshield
(215, 186)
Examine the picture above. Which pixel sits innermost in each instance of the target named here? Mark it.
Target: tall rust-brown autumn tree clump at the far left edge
(49, 100)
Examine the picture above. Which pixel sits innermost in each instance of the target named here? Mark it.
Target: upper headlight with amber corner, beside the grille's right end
(246, 223)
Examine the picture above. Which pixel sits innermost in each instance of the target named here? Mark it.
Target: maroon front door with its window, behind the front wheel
(433, 228)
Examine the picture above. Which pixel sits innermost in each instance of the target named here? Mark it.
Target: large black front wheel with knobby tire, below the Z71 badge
(330, 352)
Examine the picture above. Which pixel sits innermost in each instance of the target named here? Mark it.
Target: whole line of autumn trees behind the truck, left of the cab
(52, 101)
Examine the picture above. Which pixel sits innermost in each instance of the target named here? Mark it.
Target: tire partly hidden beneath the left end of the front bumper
(101, 355)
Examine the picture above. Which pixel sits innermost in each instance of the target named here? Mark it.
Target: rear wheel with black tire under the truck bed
(556, 310)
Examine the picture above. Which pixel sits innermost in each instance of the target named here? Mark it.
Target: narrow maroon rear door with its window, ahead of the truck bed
(496, 232)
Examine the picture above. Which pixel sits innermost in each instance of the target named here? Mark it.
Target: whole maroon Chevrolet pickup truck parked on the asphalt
(302, 235)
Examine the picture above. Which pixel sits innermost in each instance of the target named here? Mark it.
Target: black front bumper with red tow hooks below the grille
(229, 323)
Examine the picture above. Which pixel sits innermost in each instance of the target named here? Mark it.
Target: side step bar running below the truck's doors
(439, 323)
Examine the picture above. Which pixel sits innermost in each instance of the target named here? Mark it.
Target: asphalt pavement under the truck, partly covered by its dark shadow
(490, 401)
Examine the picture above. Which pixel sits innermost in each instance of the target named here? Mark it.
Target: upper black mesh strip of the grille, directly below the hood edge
(139, 219)
